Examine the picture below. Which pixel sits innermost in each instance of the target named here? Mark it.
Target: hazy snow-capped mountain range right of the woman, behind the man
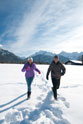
(47, 57)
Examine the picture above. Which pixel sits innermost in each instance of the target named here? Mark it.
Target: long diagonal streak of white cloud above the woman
(28, 26)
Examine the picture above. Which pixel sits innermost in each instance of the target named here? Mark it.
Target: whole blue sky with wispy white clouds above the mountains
(27, 26)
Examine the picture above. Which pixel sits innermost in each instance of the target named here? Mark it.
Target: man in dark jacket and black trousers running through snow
(57, 70)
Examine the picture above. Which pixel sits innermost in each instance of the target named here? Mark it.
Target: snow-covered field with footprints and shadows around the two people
(41, 108)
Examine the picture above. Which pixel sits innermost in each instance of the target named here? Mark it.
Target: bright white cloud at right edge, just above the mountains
(74, 42)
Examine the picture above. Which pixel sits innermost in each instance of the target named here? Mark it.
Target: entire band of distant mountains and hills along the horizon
(42, 57)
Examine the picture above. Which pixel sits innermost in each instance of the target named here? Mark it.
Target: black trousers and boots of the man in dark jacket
(56, 84)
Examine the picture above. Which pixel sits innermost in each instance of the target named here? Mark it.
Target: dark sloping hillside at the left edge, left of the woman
(8, 57)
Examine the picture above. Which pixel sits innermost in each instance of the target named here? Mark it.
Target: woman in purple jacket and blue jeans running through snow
(29, 69)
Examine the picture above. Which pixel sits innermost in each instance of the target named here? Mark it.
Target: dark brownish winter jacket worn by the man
(57, 70)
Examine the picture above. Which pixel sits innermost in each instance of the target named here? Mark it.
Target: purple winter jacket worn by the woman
(30, 71)
